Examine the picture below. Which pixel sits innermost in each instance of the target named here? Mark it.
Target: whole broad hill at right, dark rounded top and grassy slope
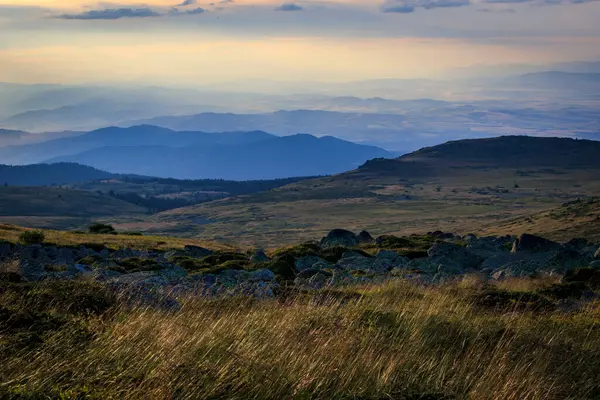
(463, 186)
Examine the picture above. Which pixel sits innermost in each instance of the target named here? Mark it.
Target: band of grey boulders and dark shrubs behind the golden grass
(338, 260)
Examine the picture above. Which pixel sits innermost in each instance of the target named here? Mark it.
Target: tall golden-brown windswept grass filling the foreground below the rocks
(395, 341)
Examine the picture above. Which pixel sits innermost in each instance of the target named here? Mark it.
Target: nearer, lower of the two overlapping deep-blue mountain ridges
(271, 158)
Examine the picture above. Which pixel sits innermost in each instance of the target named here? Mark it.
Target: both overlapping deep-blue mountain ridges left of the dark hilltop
(160, 152)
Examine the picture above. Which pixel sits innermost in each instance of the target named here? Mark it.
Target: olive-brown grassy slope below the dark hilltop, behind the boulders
(481, 202)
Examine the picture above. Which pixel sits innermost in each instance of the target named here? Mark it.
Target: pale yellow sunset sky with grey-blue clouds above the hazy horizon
(194, 42)
